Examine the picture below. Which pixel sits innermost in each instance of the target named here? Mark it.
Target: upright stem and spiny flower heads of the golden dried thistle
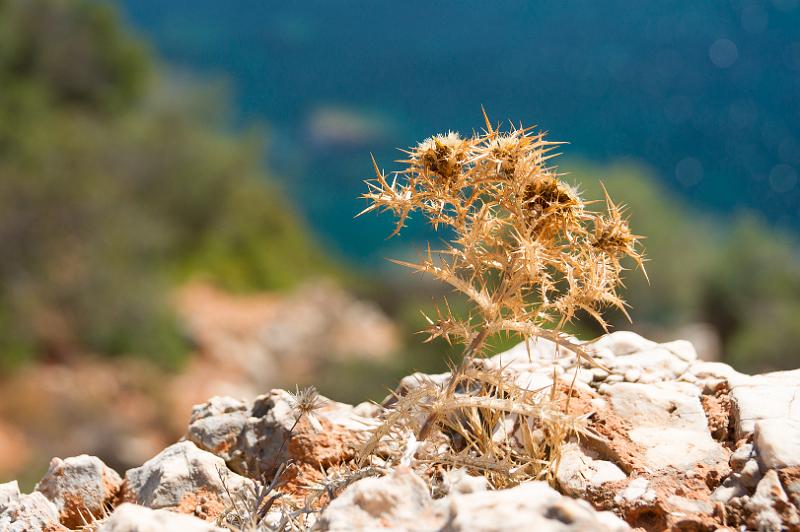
(526, 250)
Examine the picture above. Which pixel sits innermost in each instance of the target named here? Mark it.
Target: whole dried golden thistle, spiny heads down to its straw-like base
(529, 254)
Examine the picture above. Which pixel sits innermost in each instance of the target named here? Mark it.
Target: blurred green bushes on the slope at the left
(117, 182)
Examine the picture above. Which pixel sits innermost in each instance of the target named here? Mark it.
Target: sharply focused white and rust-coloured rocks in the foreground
(676, 443)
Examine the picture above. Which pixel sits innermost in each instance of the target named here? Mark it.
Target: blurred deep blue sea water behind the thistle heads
(705, 92)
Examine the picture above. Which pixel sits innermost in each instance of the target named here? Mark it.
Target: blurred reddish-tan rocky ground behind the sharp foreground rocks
(125, 411)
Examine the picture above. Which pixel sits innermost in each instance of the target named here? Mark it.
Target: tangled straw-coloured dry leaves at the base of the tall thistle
(490, 426)
